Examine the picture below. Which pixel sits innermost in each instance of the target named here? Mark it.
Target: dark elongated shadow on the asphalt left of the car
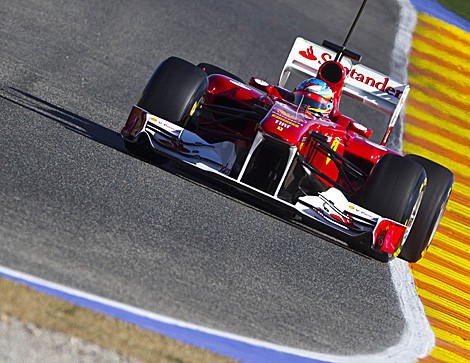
(71, 121)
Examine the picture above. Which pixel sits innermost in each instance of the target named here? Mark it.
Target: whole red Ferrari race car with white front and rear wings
(295, 150)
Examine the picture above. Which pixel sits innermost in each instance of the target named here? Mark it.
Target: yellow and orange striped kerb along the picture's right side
(437, 77)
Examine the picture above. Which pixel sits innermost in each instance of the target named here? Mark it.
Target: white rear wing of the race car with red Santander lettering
(363, 84)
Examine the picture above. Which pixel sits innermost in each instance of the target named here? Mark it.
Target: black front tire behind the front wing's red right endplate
(394, 189)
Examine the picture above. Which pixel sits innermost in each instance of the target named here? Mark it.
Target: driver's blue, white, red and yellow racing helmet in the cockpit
(316, 95)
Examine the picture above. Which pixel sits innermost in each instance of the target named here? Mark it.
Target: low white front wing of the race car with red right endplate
(329, 211)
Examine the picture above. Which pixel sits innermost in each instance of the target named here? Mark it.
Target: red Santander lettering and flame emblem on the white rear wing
(381, 84)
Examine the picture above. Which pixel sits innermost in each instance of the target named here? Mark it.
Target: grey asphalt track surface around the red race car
(76, 209)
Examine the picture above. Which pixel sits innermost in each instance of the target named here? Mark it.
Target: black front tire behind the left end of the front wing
(174, 91)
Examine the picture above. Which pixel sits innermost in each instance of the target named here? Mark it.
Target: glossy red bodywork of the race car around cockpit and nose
(287, 123)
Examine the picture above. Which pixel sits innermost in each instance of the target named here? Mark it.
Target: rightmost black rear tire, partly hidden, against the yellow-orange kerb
(438, 189)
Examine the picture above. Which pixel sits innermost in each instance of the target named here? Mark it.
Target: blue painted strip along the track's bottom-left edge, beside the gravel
(225, 346)
